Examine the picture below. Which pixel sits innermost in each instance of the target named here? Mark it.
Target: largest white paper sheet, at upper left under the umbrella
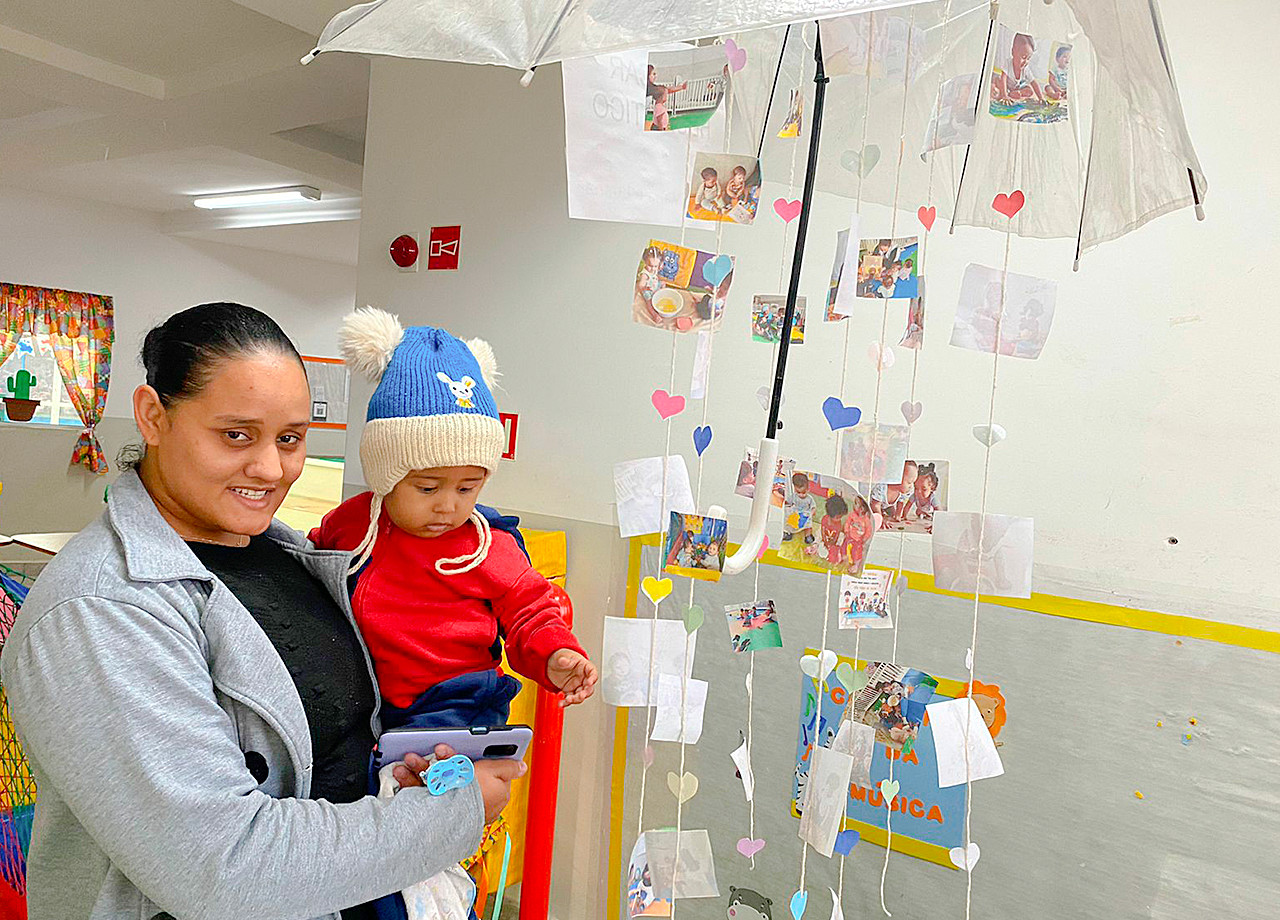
(607, 149)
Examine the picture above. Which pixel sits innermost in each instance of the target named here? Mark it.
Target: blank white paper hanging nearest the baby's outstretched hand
(627, 658)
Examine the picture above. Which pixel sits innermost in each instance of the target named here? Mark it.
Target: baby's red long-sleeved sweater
(424, 628)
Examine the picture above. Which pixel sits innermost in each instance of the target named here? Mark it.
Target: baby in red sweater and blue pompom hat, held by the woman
(442, 584)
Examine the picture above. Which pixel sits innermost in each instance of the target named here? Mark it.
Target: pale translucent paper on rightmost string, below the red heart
(1027, 319)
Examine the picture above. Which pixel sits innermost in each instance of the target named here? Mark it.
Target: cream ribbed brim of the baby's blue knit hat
(390, 448)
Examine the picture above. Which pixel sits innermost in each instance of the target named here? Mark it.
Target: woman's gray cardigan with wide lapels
(138, 685)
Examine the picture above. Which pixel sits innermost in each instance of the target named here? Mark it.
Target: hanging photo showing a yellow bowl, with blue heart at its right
(680, 290)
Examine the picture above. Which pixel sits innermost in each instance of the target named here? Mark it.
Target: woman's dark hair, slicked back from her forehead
(184, 353)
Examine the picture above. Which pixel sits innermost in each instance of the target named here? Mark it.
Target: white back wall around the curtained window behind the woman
(84, 246)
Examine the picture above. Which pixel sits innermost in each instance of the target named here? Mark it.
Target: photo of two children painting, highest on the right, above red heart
(1030, 79)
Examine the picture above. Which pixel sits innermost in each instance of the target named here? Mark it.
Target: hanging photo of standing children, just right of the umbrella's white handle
(826, 524)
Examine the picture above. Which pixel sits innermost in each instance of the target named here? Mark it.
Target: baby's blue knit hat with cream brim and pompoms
(433, 406)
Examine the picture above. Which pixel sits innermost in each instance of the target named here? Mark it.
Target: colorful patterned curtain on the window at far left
(83, 331)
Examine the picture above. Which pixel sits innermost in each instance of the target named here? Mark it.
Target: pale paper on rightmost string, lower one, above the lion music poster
(1008, 550)
